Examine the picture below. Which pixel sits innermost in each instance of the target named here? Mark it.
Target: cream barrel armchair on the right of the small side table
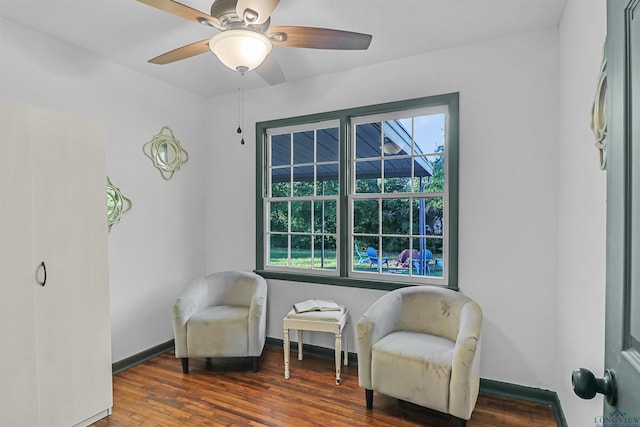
(421, 344)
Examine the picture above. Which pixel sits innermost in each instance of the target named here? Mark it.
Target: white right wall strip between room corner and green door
(582, 209)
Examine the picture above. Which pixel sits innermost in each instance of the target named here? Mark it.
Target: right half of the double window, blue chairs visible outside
(398, 198)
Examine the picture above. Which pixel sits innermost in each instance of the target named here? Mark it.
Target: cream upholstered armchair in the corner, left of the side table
(221, 315)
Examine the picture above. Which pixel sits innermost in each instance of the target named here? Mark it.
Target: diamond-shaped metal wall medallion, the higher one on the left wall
(166, 153)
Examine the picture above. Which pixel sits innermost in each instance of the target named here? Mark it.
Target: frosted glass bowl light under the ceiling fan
(241, 50)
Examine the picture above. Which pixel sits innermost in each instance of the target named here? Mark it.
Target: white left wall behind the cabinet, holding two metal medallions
(159, 245)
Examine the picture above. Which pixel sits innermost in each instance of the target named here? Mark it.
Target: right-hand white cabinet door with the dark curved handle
(72, 310)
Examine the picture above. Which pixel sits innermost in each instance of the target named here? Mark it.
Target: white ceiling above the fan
(129, 33)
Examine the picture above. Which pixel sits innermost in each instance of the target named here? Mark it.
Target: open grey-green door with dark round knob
(621, 380)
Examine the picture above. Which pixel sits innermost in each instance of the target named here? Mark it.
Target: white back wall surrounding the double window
(508, 187)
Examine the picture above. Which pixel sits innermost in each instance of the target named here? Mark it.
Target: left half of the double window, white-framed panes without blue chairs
(302, 197)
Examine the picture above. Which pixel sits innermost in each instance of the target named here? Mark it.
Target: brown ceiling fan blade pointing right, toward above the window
(318, 38)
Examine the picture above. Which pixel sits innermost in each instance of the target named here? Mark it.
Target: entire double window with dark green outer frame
(363, 197)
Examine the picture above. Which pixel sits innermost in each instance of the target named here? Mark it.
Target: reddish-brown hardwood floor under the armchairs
(228, 393)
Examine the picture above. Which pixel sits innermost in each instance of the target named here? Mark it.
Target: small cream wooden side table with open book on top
(318, 321)
